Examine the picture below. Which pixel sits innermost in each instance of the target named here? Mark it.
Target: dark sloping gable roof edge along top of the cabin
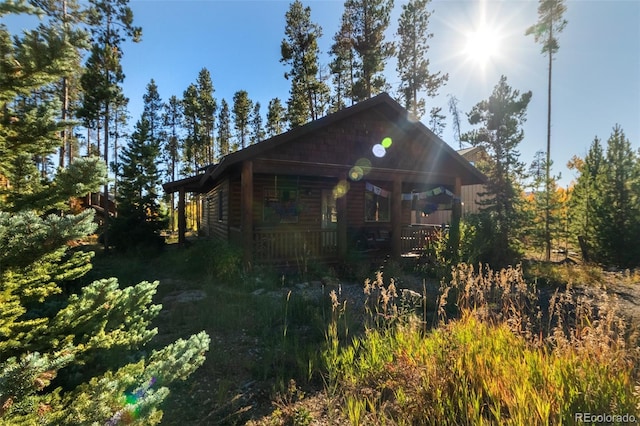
(382, 102)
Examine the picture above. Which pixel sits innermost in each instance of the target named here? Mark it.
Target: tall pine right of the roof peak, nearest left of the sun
(413, 65)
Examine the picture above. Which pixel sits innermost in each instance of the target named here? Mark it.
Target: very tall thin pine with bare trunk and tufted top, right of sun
(550, 24)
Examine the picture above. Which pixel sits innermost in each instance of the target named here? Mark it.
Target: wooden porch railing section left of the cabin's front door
(294, 245)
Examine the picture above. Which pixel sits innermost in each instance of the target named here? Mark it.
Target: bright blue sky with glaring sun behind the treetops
(596, 73)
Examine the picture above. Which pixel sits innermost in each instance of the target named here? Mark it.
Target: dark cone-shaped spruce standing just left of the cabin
(139, 219)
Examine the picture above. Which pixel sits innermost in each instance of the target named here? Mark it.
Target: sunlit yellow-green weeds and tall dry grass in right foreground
(496, 357)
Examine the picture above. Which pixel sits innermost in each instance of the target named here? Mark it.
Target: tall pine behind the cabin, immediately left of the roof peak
(369, 20)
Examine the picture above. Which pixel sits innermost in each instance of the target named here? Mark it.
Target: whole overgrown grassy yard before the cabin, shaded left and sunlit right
(491, 346)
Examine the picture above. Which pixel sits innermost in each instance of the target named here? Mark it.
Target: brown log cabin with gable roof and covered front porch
(342, 180)
